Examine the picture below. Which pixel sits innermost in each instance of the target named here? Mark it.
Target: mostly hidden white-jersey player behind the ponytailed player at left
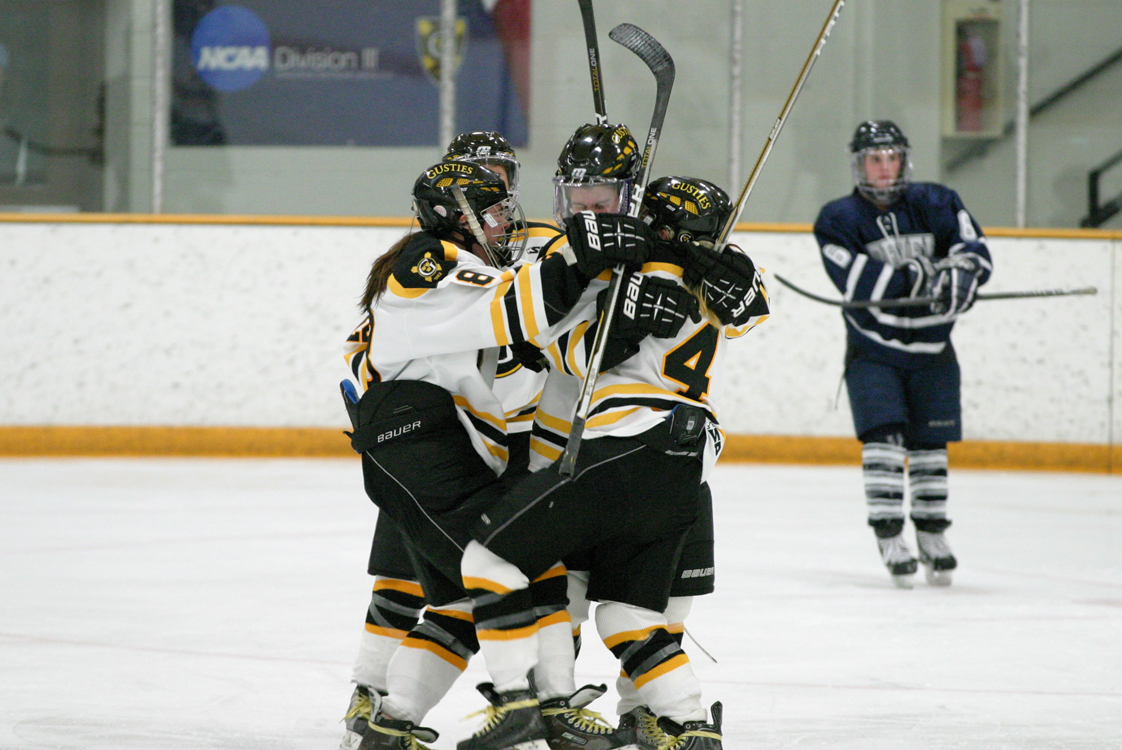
(398, 600)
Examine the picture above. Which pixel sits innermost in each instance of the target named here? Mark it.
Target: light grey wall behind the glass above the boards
(884, 61)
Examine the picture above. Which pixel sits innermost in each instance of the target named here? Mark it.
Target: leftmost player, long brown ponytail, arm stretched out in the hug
(430, 428)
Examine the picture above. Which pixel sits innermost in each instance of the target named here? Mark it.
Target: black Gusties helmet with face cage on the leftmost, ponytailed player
(471, 200)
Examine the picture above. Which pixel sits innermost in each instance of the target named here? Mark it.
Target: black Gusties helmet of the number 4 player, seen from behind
(685, 209)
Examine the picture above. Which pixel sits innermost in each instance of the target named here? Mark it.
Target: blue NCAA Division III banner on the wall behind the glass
(344, 72)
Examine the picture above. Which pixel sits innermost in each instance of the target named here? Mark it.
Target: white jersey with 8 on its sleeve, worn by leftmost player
(444, 319)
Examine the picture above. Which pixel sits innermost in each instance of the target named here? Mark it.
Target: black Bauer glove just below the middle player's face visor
(603, 241)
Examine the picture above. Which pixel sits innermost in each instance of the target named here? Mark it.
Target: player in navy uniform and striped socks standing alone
(893, 239)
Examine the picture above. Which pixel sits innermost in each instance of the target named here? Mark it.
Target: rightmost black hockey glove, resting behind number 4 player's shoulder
(729, 281)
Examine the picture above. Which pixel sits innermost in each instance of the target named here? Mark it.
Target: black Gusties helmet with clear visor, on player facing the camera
(596, 171)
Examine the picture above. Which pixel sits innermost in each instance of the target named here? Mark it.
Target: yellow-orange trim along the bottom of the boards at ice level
(52, 442)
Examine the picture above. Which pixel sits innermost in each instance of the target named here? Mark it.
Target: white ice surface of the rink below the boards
(152, 605)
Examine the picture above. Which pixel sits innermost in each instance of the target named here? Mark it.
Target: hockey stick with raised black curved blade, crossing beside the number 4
(663, 67)
